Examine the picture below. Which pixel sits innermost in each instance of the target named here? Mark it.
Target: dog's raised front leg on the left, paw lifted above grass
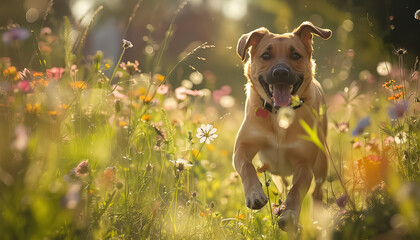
(242, 160)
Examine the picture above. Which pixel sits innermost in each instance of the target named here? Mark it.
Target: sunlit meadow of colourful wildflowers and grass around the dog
(92, 149)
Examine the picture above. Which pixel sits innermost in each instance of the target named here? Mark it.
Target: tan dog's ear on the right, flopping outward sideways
(305, 32)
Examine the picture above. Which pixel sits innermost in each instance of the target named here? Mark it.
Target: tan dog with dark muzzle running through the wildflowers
(279, 66)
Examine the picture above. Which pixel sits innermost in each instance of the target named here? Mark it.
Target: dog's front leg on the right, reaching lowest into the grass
(302, 179)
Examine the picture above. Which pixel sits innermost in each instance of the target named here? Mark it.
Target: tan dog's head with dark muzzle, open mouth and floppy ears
(280, 64)
